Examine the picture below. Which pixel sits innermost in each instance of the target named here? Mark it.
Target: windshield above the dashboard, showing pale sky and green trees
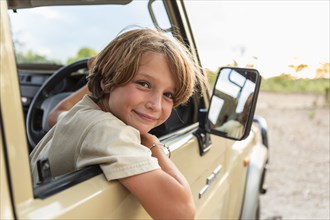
(63, 34)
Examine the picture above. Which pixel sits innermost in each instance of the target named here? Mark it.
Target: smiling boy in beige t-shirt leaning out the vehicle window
(134, 83)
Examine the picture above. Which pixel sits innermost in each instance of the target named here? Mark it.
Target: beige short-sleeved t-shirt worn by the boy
(85, 136)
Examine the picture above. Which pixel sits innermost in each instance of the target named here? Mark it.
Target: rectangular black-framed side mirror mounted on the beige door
(233, 102)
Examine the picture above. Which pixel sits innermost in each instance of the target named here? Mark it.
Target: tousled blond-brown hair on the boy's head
(117, 64)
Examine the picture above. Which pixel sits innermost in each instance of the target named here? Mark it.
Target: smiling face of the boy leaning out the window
(147, 100)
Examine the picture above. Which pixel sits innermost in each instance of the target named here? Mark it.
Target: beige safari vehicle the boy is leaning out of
(226, 172)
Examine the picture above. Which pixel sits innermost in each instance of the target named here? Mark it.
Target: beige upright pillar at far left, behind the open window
(12, 117)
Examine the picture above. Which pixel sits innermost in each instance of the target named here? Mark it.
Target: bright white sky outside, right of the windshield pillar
(271, 35)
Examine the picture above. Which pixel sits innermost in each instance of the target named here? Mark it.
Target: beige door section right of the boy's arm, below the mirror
(211, 196)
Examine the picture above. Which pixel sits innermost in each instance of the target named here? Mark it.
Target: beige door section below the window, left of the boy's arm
(95, 198)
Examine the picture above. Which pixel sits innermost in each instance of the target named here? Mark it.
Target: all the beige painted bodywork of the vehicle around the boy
(217, 178)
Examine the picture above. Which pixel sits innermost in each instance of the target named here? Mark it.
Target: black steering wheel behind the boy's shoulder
(45, 100)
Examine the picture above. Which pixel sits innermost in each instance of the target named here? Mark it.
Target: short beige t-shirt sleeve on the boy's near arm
(116, 148)
